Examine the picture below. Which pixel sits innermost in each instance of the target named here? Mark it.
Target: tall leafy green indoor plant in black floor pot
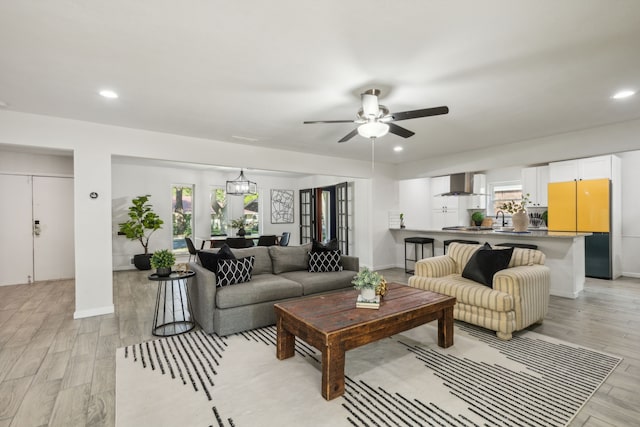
(142, 223)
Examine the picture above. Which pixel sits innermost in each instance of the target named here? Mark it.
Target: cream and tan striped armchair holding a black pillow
(519, 296)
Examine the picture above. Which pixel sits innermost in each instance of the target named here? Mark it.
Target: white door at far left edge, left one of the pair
(16, 244)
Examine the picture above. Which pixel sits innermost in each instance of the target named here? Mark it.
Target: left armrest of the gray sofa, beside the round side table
(202, 292)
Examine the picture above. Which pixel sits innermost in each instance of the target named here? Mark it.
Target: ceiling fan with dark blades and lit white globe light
(375, 120)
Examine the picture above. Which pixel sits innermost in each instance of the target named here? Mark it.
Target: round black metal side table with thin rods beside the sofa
(173, 296)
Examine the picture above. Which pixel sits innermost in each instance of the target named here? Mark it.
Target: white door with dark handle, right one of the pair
(53, 246)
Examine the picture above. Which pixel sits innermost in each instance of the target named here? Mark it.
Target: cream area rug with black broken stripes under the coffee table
(200, 380)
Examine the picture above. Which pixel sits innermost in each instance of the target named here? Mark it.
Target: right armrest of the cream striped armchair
(530, 286)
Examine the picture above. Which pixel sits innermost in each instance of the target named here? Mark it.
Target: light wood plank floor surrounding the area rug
(58, 371)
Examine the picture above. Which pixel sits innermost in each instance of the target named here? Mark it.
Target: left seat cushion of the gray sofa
(261, 288)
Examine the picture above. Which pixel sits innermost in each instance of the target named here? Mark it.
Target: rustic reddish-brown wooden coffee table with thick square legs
(332, 324)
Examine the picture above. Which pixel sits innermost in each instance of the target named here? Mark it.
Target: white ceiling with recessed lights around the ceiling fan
(508, 70)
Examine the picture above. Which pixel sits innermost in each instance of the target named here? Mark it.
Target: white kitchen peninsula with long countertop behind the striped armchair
(564, 251)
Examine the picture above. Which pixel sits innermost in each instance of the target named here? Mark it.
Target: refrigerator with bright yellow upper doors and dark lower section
(585, 206)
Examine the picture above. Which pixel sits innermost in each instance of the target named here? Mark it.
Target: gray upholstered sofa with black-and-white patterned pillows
(279, 273)
